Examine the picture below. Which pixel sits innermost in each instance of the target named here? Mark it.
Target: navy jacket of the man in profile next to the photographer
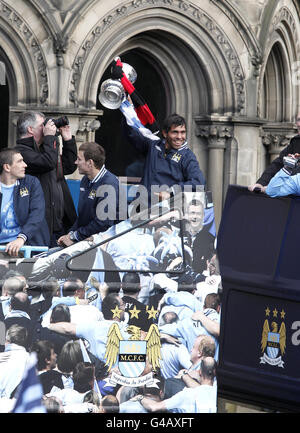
(87, 222)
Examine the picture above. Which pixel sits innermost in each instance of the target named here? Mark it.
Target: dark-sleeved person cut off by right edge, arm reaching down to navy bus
(292, 149)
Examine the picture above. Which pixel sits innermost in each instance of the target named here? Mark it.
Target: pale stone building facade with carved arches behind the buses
(231, 67)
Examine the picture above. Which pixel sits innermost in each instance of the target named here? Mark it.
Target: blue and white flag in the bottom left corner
(30, 391)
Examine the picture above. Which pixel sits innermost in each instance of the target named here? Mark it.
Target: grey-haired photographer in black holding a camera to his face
(39, 145)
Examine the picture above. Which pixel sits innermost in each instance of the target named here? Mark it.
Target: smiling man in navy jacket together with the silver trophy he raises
(169, 164)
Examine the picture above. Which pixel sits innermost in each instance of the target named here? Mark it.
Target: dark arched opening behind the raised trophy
(121, 158)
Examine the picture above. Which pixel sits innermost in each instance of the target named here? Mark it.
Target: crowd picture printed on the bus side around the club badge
(62, 304)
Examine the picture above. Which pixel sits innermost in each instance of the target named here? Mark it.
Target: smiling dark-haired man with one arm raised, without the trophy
(169, 162)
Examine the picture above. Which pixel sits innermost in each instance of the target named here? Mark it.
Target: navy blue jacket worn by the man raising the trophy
(172, 167)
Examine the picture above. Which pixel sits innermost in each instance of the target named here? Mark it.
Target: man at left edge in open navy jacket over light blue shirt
(22, 205)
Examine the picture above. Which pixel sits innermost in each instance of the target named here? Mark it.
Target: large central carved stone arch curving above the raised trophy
(207, 45)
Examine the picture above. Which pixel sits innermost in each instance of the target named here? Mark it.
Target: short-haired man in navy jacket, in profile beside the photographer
(99, 195)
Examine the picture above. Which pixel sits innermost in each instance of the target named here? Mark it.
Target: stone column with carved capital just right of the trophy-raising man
(217, 135)
